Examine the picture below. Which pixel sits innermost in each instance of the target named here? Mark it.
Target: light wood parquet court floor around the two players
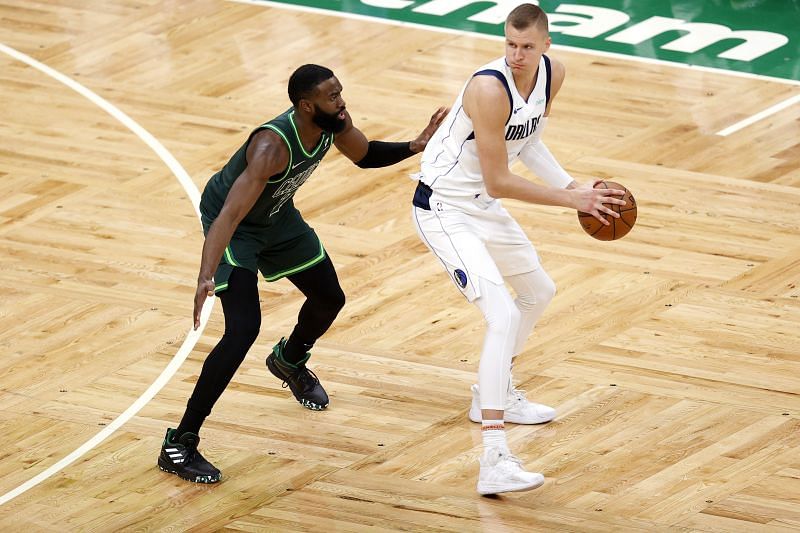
(672, 355)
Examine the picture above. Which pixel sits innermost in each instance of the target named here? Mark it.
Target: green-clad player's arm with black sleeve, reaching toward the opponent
(374, 154)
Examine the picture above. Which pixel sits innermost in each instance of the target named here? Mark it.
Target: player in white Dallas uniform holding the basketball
(498, 118)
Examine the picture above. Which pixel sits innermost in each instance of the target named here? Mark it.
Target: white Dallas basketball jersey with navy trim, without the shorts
(450, 163)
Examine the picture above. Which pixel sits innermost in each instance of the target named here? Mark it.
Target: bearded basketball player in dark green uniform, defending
(252, 225)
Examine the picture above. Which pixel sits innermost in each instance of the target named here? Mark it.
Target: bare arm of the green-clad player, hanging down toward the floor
(266, 156)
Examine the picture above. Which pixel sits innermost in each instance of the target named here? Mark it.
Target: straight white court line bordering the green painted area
(585, 51)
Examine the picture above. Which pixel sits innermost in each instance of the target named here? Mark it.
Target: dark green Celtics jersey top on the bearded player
(275, 204)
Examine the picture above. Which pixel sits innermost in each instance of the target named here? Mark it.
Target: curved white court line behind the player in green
(191, 338)
